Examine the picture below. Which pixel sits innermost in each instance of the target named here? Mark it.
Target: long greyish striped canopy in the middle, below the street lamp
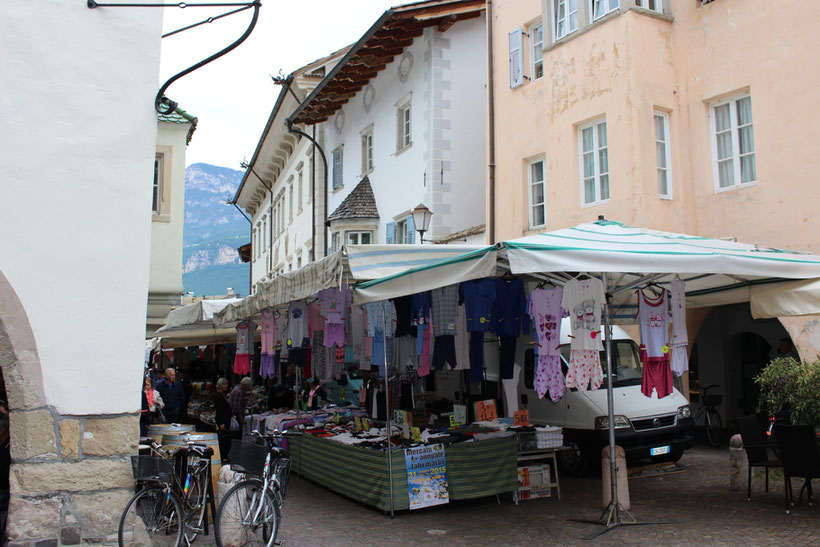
(351, 264)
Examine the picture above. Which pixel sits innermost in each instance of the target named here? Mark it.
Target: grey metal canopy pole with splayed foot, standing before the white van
(613, 515)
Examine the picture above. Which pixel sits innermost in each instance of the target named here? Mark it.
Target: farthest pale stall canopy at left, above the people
(192, 325)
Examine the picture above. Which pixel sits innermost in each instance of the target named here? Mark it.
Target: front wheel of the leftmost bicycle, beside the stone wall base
(152, 517)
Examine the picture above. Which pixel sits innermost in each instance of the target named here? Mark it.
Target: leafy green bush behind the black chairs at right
(791, 385)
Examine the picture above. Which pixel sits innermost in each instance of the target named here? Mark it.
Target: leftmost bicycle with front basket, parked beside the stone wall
(174, 491)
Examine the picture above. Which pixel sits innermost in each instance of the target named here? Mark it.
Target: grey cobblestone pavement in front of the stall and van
(697, 501)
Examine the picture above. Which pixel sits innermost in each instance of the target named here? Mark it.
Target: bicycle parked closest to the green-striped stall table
(249, 513)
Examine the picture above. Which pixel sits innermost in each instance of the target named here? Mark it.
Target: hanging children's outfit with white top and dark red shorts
(653, 321)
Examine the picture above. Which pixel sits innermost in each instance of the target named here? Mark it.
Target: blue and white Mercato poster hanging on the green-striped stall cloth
(426, 476)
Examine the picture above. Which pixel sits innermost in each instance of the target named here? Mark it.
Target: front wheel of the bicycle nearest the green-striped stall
(247, 516)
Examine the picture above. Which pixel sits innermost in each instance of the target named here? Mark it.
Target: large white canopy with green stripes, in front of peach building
(715, 271)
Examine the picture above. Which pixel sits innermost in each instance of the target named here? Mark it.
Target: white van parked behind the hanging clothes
(645, 427)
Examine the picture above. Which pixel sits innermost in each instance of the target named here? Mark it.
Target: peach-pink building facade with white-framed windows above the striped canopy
(678, 115)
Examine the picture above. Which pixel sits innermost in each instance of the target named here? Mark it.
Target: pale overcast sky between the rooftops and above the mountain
(233, 96)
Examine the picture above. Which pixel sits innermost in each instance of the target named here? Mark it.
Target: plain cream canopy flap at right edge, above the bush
(787, 299)
